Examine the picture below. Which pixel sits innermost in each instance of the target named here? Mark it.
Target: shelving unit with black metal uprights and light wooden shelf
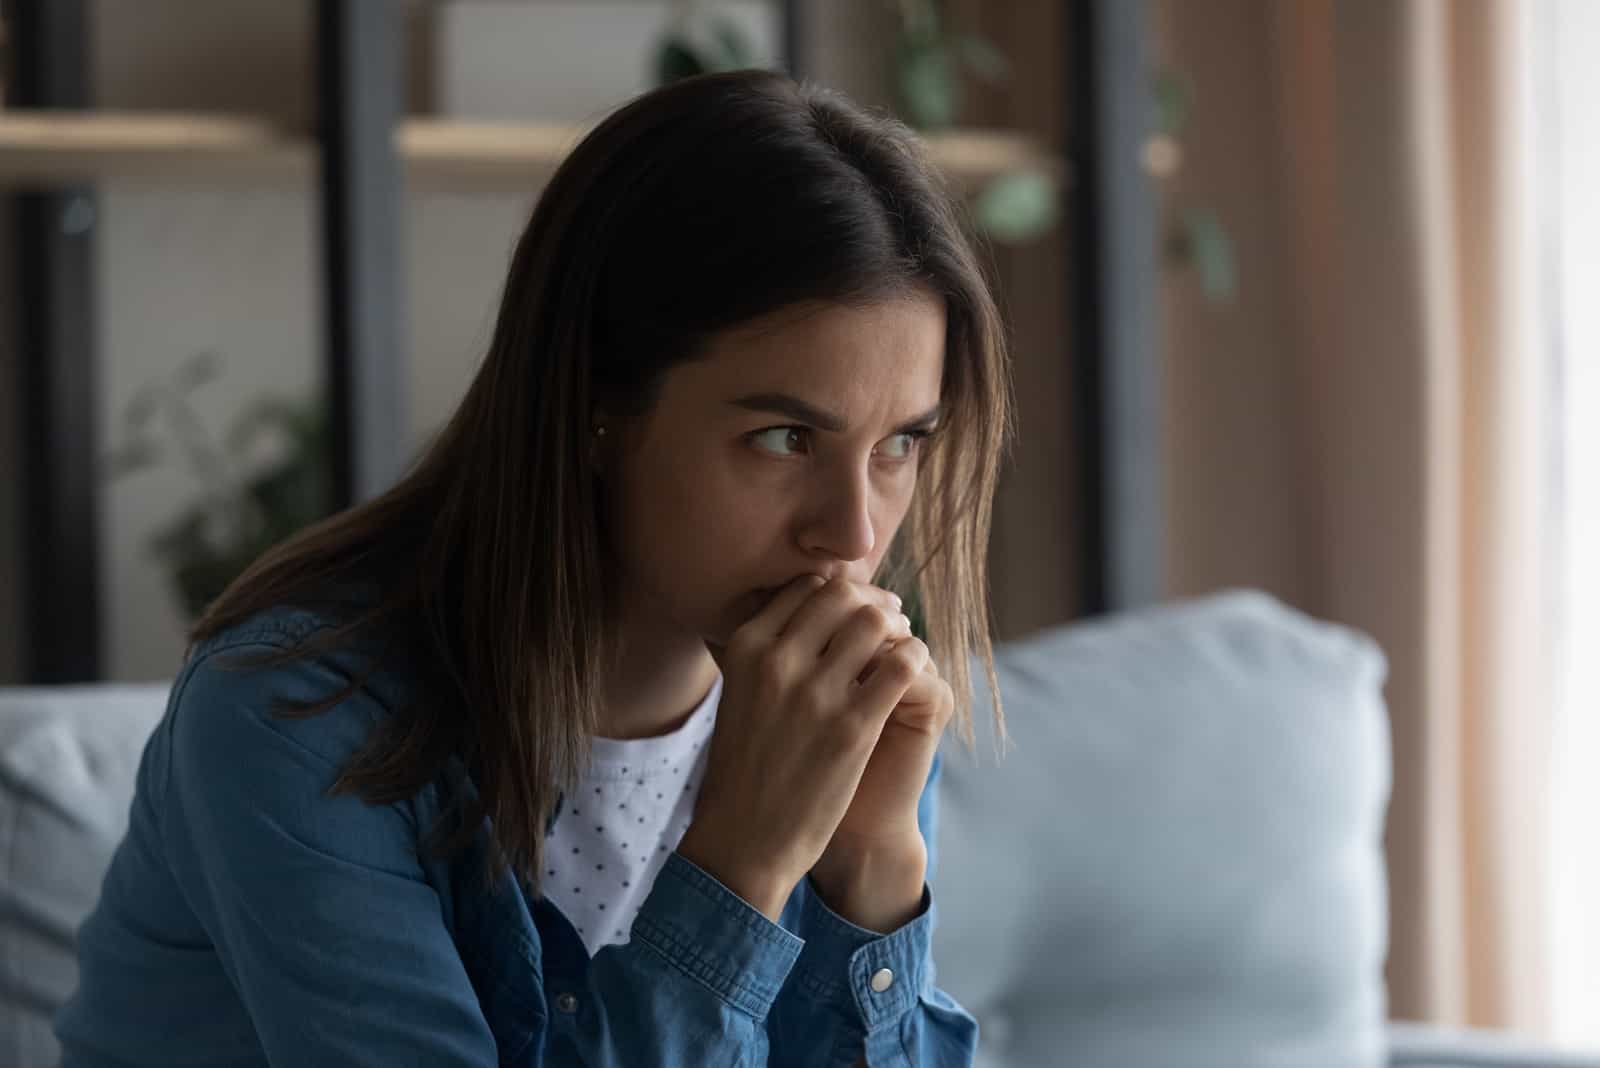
(55, 149)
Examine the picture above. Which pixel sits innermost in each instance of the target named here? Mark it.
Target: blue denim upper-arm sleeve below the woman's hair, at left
(316, 906)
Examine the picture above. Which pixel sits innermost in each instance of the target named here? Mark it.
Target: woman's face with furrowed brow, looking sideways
(791, 448)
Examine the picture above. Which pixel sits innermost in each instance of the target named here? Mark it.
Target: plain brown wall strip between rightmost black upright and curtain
(1234, 496)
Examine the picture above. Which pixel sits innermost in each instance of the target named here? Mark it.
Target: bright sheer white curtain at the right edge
(1569, 41)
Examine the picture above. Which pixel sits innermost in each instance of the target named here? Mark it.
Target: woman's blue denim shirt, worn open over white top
(250, 920)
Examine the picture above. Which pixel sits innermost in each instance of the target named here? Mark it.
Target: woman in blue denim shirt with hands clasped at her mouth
(594, 739)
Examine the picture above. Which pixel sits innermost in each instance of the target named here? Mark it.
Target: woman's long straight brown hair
(690, 210)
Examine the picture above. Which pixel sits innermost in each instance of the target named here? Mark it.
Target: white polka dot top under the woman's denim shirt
(618, 827)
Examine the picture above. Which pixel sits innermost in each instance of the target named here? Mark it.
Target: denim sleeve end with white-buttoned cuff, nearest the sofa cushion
(833, 1013)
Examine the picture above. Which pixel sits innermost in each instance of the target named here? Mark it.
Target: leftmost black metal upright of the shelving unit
(57, 367)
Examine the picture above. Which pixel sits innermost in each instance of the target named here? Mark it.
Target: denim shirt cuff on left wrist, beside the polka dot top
(716, 936)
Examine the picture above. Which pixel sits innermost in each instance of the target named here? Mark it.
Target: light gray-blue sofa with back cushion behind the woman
(1178, 866)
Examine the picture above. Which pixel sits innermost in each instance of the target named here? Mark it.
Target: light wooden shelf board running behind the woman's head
(46, 148)
